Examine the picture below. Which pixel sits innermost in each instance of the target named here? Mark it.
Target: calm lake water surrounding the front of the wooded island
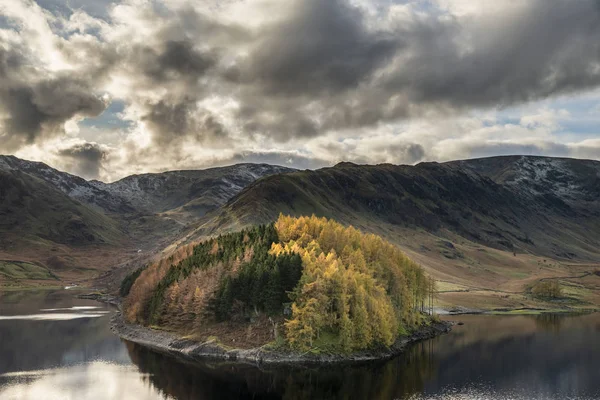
(54, 346)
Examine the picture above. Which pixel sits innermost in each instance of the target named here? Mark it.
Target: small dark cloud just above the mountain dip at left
(84, 159)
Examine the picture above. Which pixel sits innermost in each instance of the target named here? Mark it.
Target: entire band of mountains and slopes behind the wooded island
(485, 229)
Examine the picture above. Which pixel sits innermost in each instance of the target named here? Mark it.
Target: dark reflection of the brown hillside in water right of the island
(554, 356)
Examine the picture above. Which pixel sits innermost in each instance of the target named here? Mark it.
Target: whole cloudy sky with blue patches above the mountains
(104, 89)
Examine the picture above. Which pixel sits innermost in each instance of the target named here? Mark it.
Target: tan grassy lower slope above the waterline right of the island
(491, 279)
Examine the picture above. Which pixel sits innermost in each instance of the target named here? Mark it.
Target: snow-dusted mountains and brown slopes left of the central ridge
(78, 228)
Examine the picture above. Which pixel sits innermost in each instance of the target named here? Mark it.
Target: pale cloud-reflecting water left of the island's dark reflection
(55, 346)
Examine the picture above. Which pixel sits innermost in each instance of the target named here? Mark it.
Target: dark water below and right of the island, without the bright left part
(495, 357)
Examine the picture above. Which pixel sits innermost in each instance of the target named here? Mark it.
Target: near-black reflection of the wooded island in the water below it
(397, 378)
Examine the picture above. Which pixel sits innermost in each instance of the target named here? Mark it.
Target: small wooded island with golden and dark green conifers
(301, 289)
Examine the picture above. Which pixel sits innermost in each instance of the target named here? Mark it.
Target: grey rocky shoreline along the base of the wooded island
(168, 343)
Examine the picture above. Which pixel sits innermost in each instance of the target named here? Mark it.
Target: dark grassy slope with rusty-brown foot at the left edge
(42, 226)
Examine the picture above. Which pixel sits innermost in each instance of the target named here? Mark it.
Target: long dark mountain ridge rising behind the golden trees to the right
(510, 203)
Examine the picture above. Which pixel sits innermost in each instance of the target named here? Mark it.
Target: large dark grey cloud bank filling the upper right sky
(324, 53)
